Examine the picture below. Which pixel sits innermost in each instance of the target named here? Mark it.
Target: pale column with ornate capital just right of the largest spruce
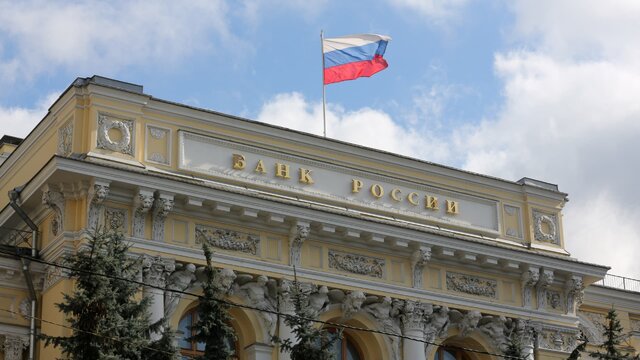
(155, 271)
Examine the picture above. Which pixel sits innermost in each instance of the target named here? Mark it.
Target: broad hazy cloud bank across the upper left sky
(38, 36)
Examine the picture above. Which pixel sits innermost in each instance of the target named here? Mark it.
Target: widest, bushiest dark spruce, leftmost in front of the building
(109, 322)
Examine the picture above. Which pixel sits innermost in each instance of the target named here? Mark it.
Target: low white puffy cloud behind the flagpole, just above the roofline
(366, 126)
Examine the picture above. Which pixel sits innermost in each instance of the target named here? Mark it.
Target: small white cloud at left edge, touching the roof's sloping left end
(19, 121)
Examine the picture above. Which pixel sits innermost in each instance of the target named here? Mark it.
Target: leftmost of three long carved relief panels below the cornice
(228, 239)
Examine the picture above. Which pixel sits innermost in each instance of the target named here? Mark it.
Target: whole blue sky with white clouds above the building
(525, 88)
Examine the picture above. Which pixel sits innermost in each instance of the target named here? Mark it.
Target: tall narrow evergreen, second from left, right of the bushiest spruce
(212, 327)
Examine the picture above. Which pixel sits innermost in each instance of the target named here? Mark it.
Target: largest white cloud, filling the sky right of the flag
(570, 117)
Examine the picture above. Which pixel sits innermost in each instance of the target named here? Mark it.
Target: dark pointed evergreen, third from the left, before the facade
(313, 343)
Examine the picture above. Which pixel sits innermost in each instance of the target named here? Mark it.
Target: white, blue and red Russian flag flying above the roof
(353, 56)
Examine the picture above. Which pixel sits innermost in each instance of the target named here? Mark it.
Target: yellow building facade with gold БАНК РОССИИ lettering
(385, 243)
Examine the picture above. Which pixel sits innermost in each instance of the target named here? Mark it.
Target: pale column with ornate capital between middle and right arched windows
(413, 322)
